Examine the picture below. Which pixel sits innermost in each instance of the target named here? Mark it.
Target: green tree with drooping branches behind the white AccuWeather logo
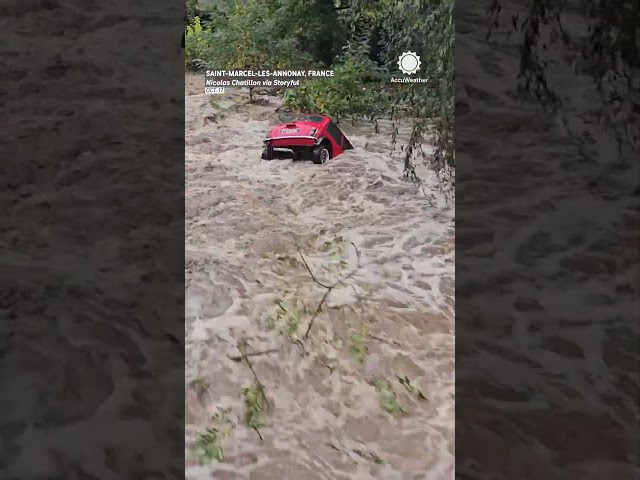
(424, 26)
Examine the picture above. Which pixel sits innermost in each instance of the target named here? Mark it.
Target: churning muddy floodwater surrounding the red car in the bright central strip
(369, 393)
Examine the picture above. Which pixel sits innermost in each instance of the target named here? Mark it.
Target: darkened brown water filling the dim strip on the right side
(554, 356)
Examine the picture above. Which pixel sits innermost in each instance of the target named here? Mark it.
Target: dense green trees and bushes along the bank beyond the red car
(361, 41)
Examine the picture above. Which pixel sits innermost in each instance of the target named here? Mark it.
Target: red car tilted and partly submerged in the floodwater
(307, 137)
